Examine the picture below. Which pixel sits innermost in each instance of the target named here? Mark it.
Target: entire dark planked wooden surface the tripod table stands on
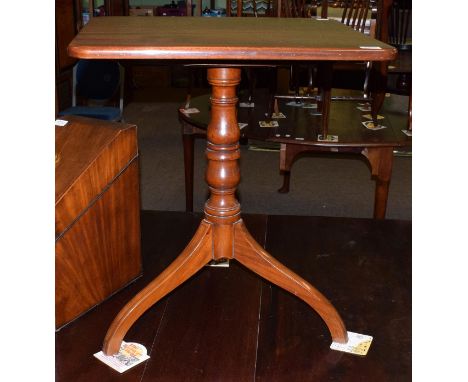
(227, 324)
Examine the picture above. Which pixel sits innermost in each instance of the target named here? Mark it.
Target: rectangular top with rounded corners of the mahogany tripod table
(225, 38)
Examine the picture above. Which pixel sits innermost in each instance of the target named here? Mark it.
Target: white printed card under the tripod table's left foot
(129, 355)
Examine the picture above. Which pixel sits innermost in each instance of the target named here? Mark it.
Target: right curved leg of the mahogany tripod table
(249, 253)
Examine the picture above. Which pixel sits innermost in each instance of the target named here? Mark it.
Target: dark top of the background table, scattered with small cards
(345, 121)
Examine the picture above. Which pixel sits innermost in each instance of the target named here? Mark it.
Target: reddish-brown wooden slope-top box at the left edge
(97, 213)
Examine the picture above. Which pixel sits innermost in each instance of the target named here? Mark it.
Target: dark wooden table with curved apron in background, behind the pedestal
(298, 135)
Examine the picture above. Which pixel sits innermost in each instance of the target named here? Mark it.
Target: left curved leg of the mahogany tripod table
(197, 253)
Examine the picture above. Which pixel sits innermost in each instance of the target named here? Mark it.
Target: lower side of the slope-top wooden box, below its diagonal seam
(101, 252)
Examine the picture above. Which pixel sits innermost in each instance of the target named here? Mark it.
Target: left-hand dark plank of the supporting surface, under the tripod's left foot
(163, 236)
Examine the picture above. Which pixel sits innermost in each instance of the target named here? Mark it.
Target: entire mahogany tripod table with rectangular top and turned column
(225, 44)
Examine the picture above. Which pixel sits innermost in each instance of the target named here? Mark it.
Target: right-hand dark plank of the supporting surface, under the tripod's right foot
(364, 267)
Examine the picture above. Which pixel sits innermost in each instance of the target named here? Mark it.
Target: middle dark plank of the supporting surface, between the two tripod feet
(209, 330)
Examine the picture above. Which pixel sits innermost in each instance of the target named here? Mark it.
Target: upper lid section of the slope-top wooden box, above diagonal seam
(90, 154)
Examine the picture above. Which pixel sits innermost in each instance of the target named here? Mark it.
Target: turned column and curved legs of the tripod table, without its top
(222, 234)
